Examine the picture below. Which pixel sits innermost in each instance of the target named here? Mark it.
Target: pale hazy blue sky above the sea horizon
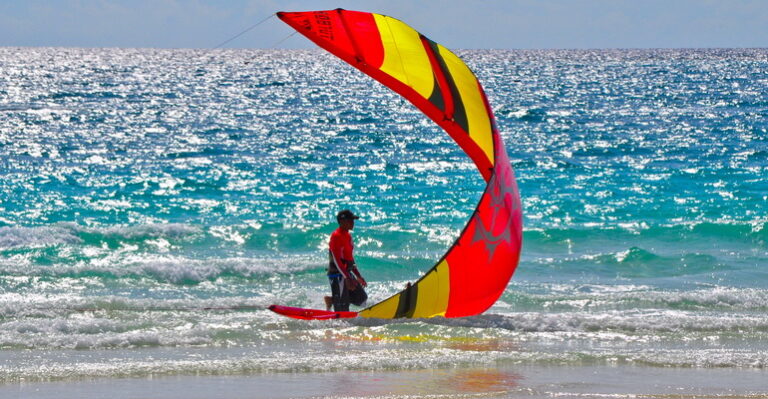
(467, 24)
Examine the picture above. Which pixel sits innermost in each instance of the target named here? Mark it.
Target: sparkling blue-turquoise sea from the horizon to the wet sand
(153, 203)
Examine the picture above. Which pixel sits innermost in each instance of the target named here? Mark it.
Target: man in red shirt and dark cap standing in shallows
(346, 281)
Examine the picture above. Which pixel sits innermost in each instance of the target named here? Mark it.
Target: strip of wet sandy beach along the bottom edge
(500, 382)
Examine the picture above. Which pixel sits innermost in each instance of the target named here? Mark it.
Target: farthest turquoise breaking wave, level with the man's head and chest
(753, 233)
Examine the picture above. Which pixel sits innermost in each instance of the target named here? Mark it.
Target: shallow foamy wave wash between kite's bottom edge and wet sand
(227, 343)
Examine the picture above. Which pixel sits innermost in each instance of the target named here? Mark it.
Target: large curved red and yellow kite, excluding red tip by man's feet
(475, 271)
